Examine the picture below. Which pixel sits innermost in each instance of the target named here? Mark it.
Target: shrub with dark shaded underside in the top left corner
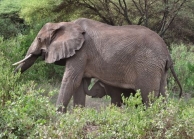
(10, 22)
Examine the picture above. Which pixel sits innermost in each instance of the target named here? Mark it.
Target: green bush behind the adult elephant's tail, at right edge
(184, 67)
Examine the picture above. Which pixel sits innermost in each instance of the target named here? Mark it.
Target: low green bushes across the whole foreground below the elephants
(33, 116)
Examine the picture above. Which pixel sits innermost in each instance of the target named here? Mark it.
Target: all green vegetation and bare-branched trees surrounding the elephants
(27, 107)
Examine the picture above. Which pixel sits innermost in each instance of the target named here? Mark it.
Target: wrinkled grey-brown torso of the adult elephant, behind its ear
(119, 54)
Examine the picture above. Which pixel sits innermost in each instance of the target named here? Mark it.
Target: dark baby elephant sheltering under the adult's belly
(100, 89)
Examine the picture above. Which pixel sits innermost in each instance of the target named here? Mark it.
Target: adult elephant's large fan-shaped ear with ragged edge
(64, 39)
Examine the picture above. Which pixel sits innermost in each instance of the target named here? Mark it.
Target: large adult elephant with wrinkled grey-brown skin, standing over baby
(122, 56)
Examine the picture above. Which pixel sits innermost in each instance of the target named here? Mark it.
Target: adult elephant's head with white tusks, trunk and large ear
(55, 42)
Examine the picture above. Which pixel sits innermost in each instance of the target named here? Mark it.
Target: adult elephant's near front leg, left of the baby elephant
(70, 83)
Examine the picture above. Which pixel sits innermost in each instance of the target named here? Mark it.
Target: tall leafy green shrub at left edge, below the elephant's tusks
(21, 105)
